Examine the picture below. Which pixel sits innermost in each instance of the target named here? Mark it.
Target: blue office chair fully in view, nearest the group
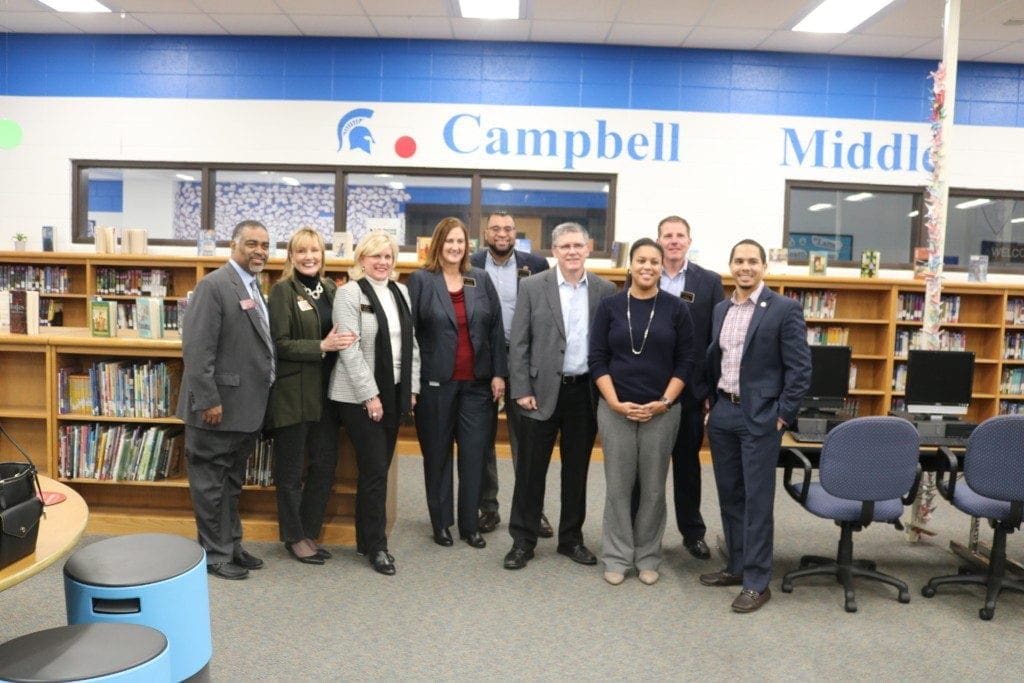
(869, 472)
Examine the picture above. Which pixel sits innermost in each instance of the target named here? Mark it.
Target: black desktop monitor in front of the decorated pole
(940, 382)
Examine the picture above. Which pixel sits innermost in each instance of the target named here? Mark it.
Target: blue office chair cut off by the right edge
(993, 488)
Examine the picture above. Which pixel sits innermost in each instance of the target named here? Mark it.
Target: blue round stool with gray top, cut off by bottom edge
(121, 653)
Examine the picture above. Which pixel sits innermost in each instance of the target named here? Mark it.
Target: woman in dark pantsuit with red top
(459, 327)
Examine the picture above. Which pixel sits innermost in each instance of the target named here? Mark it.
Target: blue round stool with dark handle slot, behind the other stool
(155, 580)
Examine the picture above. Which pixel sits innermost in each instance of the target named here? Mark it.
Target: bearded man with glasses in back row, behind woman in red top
(507, 267)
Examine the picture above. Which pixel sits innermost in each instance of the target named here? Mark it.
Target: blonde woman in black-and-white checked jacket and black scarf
(376, 382)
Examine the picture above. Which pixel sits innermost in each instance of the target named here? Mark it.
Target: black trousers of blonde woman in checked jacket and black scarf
(374, 444)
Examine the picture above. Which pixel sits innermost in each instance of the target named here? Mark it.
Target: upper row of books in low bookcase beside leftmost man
(120, 390)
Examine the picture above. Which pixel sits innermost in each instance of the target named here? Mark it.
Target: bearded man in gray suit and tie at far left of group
(229, 370)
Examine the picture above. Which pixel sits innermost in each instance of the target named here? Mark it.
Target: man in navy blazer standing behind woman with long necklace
(702, 289)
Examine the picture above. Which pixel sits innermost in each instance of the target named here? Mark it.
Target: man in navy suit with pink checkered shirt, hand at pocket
(759, 367)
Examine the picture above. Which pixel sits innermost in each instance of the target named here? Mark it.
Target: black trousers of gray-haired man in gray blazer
(576, 422)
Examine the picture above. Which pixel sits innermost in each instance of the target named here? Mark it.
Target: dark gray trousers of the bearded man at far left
(217, 471)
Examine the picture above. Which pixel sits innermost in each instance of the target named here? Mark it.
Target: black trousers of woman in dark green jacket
(302, 503)
